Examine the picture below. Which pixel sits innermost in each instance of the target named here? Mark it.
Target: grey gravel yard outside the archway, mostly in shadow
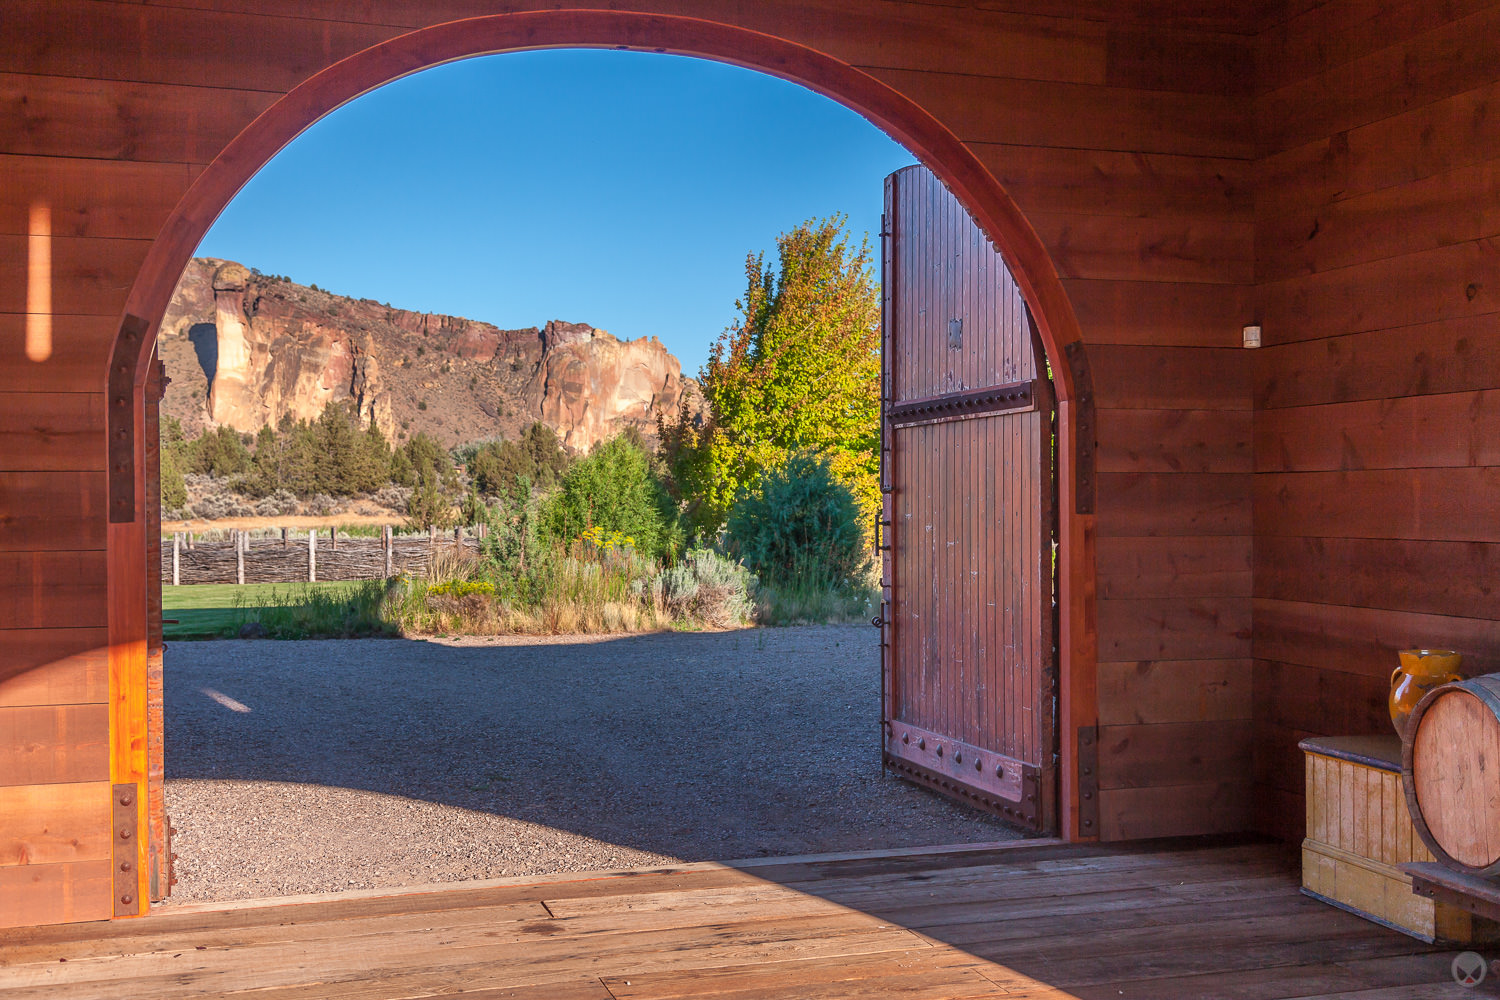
(311, 767)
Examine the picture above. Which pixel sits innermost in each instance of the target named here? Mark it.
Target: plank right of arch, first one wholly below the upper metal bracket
(1174, 566)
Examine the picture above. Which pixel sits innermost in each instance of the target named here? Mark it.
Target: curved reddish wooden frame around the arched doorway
(901, 118)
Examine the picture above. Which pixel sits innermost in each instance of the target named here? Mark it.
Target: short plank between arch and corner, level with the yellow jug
(1145, 692)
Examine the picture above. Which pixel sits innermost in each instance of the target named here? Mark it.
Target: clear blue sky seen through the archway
(619, 190)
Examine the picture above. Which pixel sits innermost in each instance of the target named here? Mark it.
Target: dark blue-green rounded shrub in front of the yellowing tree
(800, 525)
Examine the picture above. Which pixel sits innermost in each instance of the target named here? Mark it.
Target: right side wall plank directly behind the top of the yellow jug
(1364, 641)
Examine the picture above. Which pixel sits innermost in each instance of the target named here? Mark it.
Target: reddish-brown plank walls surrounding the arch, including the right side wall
(1133, 136)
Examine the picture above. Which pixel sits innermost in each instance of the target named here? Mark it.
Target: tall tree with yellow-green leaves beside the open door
(800, 370)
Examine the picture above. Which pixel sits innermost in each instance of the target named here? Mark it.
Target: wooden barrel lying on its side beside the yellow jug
(1451, 774)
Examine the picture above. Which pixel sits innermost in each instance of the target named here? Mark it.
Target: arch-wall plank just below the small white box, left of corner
(1171, 379)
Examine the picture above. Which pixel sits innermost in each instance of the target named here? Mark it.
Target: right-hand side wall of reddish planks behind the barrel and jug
(1378, 422)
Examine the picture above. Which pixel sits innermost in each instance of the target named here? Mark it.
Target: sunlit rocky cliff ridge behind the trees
(245, 350)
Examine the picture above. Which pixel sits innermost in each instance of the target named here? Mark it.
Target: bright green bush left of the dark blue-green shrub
(614, 490)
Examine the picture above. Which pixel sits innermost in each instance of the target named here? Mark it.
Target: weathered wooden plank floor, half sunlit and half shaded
(1163, 921)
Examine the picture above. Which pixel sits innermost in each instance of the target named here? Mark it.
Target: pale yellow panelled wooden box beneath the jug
(1360, 834)
